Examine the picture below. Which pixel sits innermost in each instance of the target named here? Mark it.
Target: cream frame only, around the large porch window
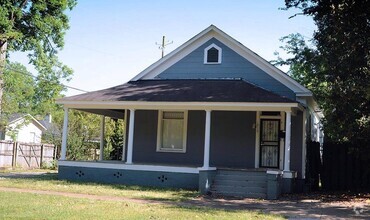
(160, 135)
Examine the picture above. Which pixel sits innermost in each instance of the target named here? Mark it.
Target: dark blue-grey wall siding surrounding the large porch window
(145, 140)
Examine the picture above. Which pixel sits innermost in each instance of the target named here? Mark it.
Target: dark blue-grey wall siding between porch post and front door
(233, 139)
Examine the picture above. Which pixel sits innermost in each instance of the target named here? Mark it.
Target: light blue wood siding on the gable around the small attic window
(233, 66)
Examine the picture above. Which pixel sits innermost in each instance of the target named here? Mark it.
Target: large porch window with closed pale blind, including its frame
(172, 128)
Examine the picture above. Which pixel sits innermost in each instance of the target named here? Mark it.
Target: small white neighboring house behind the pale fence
(23, 128)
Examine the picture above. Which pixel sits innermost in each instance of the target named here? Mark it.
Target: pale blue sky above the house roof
(111, 41)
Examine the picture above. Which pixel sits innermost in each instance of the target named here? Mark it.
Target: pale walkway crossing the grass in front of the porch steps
(289, 207)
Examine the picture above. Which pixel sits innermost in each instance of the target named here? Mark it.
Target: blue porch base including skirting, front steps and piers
(265, 185)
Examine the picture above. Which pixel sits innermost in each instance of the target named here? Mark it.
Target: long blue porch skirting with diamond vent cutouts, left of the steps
(120, 173)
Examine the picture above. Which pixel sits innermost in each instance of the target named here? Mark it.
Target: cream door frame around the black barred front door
(257, 127)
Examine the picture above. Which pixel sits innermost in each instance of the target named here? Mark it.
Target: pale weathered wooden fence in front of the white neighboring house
(26, 155)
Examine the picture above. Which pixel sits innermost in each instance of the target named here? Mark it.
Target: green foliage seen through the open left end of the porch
(84, 136)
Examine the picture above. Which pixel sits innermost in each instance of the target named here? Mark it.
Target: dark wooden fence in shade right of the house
(342, 167)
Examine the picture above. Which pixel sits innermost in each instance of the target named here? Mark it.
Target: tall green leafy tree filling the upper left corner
(36, 27)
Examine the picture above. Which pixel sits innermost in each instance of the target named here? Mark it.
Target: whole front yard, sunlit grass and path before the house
(43, 196)
